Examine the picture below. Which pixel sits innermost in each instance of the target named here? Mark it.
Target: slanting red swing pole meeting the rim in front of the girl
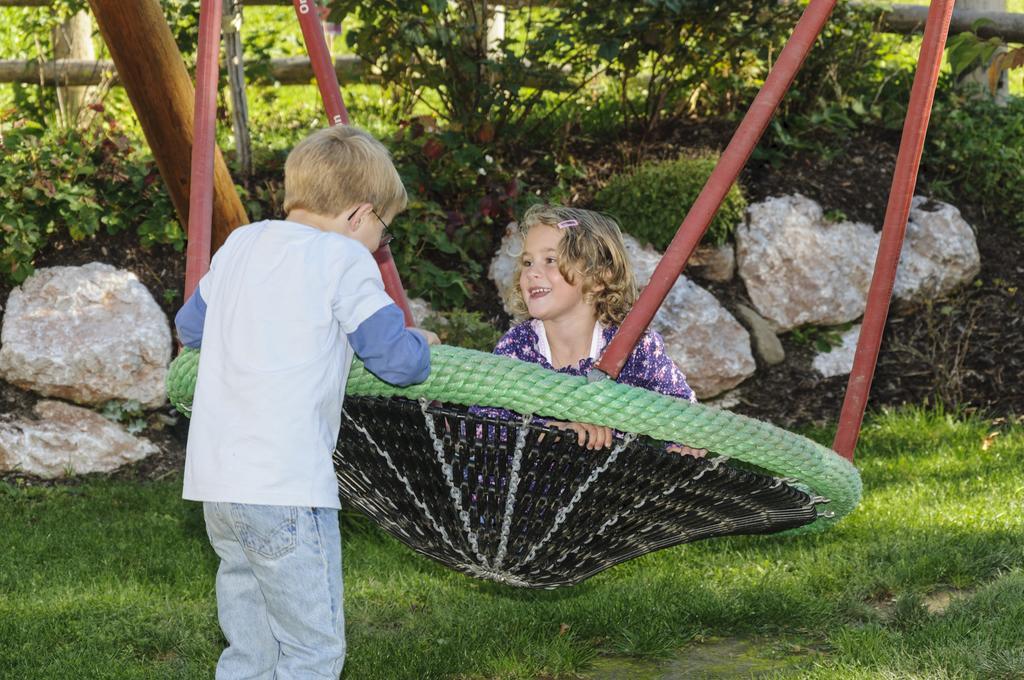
(730, 165)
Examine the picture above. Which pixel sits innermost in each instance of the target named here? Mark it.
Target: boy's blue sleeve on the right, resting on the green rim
(391, 352)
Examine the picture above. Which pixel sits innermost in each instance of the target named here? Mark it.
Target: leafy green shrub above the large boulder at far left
(70, 183)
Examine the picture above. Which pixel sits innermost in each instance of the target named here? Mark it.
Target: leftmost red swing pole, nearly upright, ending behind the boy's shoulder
(204, 143)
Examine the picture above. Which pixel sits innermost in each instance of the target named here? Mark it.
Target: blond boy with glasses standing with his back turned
(279, 317)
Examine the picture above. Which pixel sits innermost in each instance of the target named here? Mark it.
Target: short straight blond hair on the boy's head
(338, 167)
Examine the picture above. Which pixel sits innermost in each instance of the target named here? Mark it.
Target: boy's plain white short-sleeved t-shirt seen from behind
(281, 299)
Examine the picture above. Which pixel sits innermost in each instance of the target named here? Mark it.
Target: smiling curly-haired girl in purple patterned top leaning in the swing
(576, 285)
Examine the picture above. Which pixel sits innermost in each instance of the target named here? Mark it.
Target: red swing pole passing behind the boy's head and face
(327, 81)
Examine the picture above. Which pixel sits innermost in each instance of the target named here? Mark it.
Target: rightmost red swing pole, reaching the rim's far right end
(894, 227)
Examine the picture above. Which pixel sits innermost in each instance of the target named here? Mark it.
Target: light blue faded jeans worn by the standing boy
(279, 591)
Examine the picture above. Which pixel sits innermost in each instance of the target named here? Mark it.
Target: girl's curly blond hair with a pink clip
(592, 247)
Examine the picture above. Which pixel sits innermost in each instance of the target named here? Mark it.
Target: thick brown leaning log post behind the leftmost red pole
(154, 75)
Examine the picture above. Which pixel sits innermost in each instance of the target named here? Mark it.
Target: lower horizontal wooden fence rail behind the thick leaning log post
(287, 71)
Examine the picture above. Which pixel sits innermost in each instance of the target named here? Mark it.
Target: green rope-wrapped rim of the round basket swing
(467, 377)
